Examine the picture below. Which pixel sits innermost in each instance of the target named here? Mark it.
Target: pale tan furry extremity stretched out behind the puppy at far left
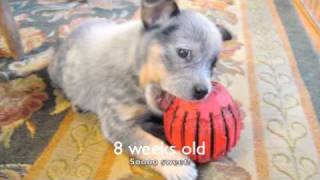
(28, 66)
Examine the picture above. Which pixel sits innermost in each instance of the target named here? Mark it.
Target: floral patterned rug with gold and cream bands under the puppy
(270, 67)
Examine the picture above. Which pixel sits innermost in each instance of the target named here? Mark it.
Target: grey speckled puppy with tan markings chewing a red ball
(123, 72)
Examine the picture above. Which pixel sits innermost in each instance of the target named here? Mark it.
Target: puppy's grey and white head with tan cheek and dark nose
(181, 48)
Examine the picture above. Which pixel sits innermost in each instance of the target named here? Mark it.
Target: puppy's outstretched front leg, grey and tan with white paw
(127, 131)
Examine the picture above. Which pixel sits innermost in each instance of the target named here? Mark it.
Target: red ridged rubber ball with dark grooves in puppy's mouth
(214, 122)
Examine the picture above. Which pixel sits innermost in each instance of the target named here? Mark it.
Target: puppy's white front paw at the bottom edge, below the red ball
(180, 172)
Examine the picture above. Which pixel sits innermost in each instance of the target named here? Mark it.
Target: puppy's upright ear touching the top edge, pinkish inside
(155, 12)
